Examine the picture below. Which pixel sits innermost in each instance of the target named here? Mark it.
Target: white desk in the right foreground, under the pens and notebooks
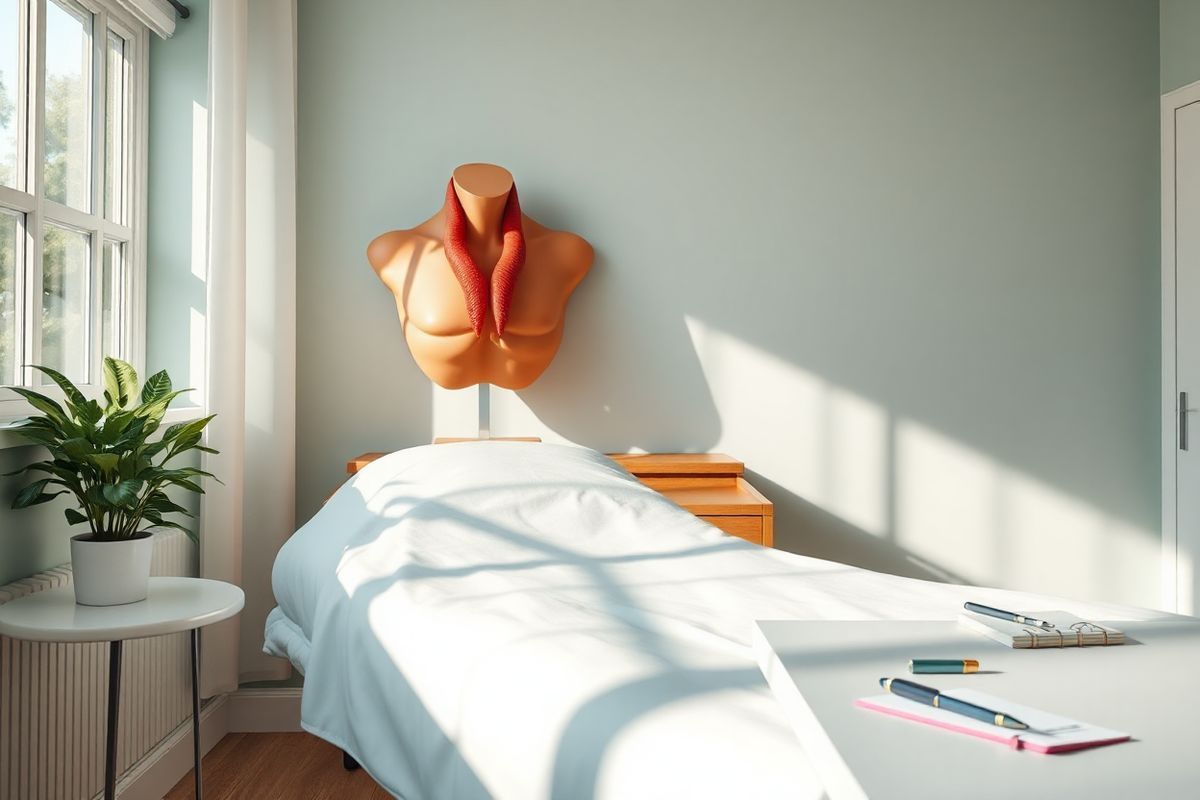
(1148, 688)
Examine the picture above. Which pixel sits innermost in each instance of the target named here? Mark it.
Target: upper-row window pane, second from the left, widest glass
(68, 106)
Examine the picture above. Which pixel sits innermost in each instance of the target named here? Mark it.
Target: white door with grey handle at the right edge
(1181, 429)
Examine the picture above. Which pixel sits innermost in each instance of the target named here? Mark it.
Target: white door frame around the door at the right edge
(1172, 103)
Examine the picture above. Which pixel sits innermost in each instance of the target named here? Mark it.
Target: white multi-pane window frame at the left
(130, 299)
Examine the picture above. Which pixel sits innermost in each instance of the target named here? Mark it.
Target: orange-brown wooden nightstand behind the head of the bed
(709, 485)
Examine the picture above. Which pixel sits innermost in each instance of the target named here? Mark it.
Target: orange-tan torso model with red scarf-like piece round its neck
(482, 290)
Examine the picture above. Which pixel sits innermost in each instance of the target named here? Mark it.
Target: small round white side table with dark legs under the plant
(172, 606)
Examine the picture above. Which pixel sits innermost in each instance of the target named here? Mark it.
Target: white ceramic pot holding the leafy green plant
(111, 574)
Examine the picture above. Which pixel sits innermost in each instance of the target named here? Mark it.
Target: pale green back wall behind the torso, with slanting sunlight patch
(941, 214)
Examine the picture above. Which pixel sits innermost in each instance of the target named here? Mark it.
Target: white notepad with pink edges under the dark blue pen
(1049, 733)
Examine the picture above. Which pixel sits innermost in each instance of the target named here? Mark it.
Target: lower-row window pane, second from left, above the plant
(65, 270)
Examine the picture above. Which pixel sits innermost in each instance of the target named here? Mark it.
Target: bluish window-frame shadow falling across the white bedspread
(406, 713)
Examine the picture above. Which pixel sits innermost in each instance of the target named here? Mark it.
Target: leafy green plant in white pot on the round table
(110, 459)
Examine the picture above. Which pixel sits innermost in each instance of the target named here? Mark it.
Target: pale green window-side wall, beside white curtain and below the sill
(37, 539)
